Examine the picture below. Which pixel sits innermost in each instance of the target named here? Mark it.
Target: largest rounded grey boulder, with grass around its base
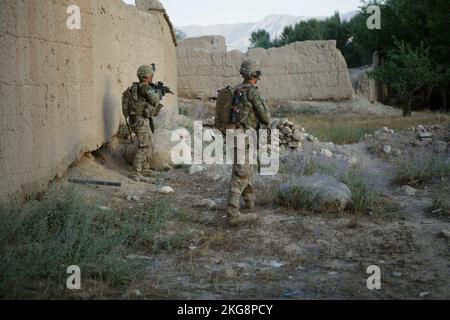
(326, 193)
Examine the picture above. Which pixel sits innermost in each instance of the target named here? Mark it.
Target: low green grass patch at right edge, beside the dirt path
(419, 171)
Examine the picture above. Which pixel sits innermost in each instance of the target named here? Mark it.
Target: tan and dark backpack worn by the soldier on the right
(227, 109)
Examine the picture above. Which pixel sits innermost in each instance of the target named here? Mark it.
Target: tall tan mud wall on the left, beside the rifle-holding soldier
(61, 89)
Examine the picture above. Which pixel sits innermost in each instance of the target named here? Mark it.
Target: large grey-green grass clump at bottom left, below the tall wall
(37, 246)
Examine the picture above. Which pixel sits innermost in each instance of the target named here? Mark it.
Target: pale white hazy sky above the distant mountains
(206, 12)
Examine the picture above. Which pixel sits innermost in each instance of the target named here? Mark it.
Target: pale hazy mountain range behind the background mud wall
(237, 35)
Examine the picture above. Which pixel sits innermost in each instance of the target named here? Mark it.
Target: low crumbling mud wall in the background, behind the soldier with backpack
(310, 70)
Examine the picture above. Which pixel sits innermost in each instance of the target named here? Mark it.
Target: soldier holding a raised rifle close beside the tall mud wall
(143, 104)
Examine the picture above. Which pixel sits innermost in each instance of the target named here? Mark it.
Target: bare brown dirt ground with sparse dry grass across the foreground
(288, 254)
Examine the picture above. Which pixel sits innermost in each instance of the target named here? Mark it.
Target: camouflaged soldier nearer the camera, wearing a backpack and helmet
(253, 115)
